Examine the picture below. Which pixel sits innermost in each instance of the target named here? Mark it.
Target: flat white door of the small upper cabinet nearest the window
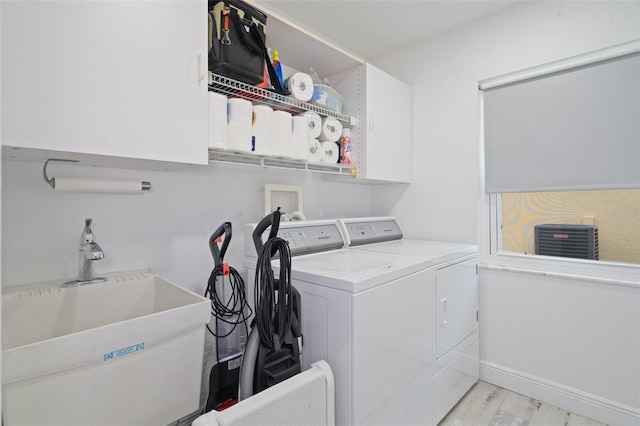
(388, 127)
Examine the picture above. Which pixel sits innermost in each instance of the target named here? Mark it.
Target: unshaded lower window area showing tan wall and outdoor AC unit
(614, 215)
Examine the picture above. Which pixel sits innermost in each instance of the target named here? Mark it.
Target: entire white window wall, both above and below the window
(573, 343)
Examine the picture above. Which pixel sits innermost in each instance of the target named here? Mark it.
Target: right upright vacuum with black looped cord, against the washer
(272, 353)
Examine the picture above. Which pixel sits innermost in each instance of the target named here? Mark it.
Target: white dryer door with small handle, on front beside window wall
(456, 304)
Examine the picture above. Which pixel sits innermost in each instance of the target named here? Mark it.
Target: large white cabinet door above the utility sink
(116, 78)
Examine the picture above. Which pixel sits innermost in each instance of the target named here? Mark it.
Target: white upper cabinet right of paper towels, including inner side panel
(381, 144)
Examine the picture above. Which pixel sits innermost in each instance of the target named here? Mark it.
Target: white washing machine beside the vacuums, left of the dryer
(368, 315)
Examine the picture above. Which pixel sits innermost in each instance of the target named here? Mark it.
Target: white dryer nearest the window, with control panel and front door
(453, 288)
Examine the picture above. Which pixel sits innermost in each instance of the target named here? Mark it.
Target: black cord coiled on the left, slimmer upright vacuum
(232, 311)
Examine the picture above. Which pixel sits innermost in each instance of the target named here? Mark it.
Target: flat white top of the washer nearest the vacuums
(353, 270)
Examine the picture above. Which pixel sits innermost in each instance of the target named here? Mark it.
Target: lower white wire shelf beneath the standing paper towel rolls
(240, 157)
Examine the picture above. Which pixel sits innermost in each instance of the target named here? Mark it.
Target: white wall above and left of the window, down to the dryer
(444, 72)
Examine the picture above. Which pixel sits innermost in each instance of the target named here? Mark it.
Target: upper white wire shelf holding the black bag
(233, 88)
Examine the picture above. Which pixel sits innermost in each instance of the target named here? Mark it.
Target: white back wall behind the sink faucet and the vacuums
(166, 229)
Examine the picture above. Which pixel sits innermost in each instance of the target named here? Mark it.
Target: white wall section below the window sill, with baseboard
(572, 343)
